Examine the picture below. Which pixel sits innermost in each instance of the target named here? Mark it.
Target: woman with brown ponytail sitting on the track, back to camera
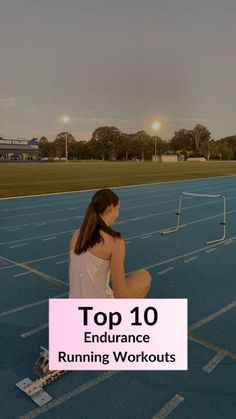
(97, 250)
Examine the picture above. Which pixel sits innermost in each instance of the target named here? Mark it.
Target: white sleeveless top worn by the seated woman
(89, 276)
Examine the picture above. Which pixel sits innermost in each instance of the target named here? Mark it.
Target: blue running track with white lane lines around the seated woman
(34, 241)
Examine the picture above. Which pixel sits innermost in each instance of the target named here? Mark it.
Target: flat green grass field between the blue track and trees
(39, 178)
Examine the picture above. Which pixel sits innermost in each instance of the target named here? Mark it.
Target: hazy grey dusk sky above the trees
(121, 63)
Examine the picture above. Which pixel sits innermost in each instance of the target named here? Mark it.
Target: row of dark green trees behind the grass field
(109, 143)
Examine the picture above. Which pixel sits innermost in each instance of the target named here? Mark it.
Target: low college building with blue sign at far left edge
(18, 150)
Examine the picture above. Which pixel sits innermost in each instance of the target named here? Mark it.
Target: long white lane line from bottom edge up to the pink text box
(70, 395)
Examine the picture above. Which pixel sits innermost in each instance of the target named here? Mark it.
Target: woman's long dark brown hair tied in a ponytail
(92, 224)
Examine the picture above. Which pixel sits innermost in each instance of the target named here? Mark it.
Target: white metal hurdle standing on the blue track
(178, 213)
